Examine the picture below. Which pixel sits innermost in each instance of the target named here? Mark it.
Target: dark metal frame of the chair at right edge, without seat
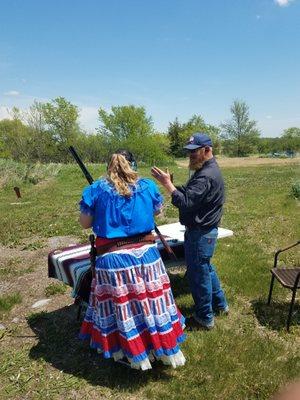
(294, 287)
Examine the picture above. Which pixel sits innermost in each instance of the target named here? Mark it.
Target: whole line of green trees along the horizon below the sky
(46, 130)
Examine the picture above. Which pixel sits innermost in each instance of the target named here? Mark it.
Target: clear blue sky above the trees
(174, 57)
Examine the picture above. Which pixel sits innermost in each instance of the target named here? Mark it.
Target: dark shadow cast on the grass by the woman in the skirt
(59, 346)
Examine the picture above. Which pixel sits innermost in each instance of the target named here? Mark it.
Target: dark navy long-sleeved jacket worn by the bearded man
(201, 200)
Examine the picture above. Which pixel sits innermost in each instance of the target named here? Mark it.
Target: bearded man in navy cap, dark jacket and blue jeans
(200, 203)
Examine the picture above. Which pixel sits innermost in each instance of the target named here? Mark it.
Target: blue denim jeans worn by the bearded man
(204, 282)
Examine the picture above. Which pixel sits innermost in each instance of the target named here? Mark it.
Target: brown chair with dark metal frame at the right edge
(288, 278)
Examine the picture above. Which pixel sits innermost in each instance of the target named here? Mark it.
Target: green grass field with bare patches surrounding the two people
(249, 355)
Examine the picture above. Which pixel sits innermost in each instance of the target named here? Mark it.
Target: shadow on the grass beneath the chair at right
(274, 316)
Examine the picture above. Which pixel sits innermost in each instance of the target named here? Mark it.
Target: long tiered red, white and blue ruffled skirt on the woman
(132, 312)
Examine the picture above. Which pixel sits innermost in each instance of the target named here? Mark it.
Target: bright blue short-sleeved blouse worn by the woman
(120, 216)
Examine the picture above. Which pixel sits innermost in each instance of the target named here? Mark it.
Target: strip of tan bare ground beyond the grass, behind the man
(238, 162)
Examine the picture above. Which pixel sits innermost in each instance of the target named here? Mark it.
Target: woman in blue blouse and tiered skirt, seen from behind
(131, 312)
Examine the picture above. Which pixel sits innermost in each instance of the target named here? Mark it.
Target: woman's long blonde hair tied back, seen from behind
(121, 175)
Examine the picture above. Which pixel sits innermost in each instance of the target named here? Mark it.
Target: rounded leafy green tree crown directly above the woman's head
(125, 122)
